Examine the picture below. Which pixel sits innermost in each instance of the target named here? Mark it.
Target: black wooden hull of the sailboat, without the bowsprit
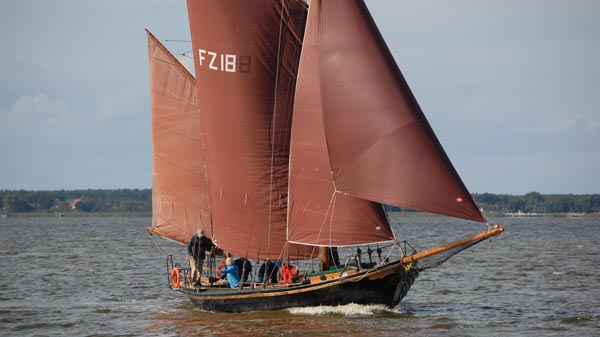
(386, 285)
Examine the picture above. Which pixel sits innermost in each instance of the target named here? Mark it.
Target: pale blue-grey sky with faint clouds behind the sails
(511, 88)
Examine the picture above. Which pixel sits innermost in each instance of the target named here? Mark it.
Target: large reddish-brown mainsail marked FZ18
(246, 55)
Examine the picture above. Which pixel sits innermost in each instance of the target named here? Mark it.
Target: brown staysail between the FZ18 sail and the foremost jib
(320, 215)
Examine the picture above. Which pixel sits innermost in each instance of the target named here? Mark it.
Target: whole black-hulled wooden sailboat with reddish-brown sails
(296, 131)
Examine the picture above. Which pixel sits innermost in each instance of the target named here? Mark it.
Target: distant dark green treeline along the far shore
(140, 200)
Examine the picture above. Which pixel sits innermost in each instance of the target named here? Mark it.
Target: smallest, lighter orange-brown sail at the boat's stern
(179, 196)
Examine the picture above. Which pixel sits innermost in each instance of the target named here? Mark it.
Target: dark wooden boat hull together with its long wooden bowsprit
(386, 284)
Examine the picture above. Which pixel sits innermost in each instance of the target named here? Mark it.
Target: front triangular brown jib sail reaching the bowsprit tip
(380, 144)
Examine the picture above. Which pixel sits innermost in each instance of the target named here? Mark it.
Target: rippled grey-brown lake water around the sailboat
(106, 277)
